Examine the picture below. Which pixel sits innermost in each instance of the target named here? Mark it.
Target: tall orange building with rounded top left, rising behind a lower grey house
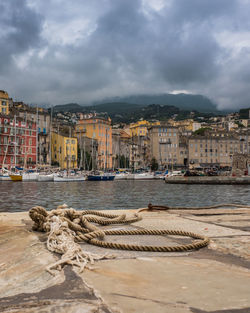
(100, 129)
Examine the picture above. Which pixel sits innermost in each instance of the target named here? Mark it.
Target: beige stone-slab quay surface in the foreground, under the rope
(212, 279)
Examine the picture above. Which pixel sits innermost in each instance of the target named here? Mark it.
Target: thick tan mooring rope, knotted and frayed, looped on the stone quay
(66, 227)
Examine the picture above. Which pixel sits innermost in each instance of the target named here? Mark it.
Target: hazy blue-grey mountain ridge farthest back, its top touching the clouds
(182, 101)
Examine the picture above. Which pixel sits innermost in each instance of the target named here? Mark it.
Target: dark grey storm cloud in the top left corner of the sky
(19, 29)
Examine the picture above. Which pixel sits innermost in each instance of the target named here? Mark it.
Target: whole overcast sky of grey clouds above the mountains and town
(59, 51)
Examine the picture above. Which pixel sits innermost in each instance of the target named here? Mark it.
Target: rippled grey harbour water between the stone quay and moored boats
(21, 196)
